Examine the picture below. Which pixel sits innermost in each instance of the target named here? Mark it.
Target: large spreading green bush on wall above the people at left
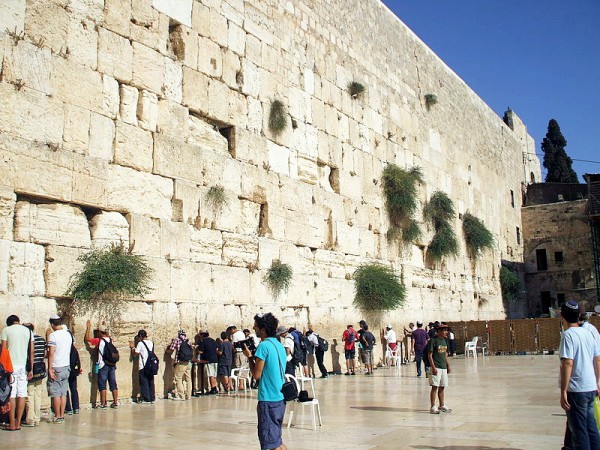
(108, 276)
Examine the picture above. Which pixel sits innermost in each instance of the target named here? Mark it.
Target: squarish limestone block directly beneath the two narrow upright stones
(133, 147)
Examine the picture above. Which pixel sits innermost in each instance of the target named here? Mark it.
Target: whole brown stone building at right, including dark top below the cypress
(558, 252)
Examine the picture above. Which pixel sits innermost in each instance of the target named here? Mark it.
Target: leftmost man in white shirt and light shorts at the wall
(18, 339)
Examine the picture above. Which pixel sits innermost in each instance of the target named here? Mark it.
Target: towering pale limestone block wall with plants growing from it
(121, 115)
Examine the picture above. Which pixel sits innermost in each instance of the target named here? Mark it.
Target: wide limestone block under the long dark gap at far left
(52, 223)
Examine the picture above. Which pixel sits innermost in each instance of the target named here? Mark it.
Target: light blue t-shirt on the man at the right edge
(580, 345)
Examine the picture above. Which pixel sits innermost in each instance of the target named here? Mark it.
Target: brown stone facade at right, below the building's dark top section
(559, 227)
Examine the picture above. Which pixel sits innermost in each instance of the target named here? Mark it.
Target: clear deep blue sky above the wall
(540, 57)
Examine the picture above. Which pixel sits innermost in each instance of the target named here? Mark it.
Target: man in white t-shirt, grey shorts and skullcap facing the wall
(59, 367)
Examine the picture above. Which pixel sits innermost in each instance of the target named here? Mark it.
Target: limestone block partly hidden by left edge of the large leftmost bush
(61, 264)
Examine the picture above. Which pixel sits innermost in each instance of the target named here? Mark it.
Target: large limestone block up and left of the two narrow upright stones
(77, 85)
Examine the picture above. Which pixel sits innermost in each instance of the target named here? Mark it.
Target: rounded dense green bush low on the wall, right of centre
(377, 288)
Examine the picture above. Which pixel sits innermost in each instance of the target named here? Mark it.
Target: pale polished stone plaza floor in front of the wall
(508, 402)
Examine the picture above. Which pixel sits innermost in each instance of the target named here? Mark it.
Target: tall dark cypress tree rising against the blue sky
(556, 160)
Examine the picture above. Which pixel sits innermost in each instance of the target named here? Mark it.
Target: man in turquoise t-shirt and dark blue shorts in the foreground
(268, 366)
